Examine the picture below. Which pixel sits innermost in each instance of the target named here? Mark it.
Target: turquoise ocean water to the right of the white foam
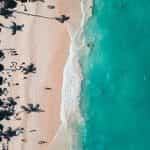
(115, 96)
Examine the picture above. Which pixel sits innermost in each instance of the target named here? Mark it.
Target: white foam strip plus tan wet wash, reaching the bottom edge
(70, 113)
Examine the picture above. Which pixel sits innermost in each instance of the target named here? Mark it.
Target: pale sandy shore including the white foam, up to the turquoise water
(53, 48)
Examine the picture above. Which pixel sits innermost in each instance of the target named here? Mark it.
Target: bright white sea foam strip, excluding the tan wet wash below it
(72, 71)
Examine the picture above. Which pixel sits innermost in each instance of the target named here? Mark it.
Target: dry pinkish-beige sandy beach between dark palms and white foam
(46, 44)
